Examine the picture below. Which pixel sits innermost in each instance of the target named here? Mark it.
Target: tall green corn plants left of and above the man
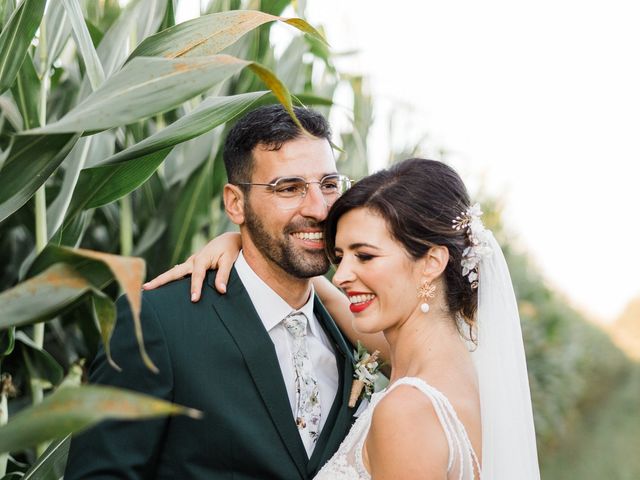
(106, 109)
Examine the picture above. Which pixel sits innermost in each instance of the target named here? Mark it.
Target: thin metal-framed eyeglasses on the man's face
(290, 191)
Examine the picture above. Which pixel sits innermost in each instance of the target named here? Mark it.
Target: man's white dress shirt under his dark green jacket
(272, 309)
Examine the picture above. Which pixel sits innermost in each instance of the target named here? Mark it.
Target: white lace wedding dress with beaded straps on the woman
(347, 463)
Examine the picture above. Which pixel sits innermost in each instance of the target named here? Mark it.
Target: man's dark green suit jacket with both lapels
(217, 357)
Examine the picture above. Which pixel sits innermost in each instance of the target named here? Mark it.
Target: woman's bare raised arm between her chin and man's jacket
(337, 305)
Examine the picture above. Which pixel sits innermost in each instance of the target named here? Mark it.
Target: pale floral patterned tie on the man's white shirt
(308, 412)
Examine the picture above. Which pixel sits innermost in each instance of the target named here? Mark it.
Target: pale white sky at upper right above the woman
(540, 100)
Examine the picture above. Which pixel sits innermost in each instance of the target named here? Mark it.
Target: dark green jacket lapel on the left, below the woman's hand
(241, 320)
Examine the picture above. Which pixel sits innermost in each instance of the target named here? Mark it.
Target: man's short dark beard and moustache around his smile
(297, 262)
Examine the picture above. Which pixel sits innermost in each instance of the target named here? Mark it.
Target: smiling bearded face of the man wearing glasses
(290, 238)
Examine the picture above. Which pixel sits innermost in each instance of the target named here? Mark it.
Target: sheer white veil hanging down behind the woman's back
(508, 436)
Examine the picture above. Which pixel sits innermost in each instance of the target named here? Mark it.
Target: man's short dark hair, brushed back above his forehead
(270, 126)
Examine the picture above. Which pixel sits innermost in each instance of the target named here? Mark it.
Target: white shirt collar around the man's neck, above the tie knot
(271, 308)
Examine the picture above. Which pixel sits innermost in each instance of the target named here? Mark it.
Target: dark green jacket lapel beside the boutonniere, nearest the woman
(340, 416)
